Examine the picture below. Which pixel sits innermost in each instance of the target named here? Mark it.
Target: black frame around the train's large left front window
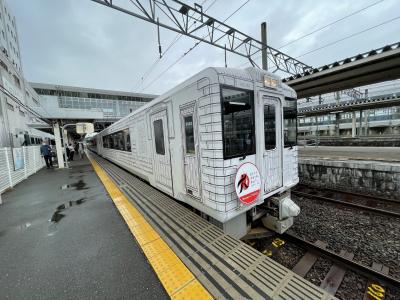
(224, 131)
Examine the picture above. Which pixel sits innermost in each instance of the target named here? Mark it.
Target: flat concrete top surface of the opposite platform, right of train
(383, 154)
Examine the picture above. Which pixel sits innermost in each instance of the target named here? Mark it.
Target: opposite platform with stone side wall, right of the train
(371, 171)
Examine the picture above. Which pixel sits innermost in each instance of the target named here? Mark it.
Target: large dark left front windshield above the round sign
(238, 122)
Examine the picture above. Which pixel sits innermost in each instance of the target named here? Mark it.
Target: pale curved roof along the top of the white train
(247, 74)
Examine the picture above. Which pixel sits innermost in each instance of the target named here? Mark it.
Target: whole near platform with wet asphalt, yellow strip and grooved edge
(96, 231)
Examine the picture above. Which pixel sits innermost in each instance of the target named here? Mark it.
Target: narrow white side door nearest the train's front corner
(190, 150)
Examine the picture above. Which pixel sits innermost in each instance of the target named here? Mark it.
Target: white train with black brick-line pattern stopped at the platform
(223, 141)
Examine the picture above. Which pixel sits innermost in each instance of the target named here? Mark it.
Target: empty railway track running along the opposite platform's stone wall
(378, 205)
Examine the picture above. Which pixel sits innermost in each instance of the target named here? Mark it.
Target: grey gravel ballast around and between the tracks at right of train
(371, 237)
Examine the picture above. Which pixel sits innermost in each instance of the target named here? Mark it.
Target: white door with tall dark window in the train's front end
(272, 158)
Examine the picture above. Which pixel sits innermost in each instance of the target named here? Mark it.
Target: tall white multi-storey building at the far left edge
(18, 100)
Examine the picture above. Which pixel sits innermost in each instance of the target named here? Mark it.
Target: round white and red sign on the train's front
(248, 183)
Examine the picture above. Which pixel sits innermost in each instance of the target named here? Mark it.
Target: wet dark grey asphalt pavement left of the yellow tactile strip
(61, 237)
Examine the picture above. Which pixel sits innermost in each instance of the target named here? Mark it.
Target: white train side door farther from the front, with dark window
(161, 155)
